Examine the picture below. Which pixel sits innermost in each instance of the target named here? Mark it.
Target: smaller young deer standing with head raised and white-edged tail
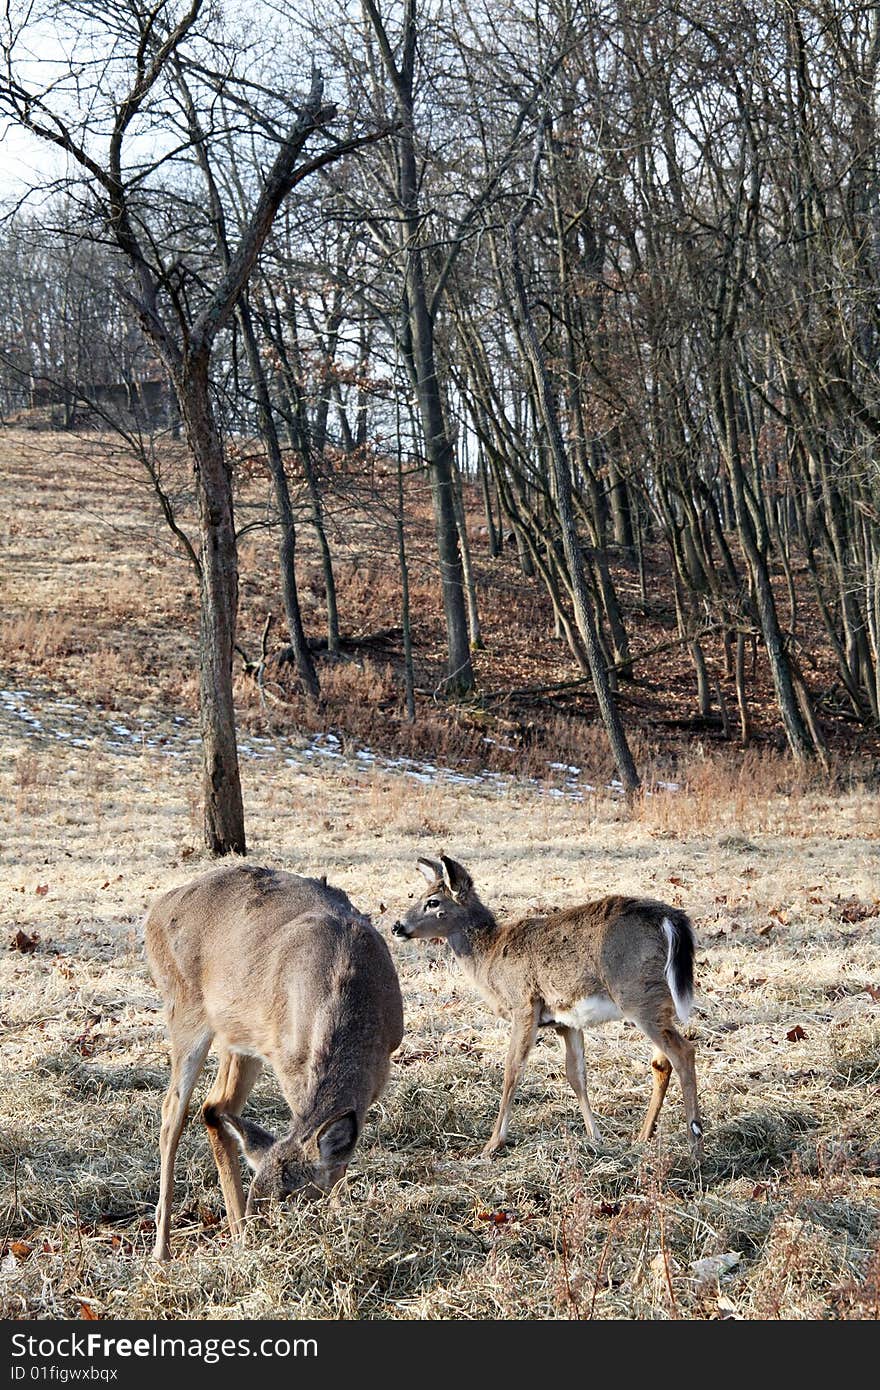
(618, 958)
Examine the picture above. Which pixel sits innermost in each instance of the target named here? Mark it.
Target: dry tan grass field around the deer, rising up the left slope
(99, 782)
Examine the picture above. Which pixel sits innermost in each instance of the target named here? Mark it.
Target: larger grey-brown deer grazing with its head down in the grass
(279, 970)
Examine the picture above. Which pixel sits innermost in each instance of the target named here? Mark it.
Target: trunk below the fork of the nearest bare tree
(225, 812)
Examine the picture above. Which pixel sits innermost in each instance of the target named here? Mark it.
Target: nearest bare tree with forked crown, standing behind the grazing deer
(115, 116)
